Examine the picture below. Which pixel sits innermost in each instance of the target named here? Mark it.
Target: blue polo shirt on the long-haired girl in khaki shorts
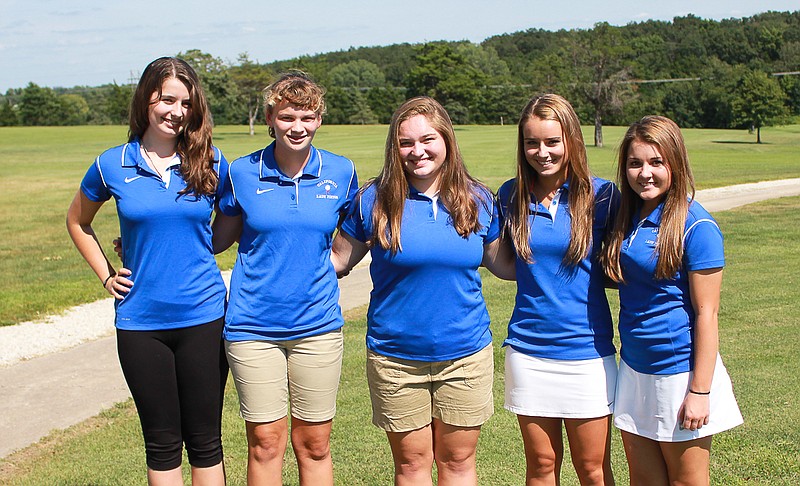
(426, 303)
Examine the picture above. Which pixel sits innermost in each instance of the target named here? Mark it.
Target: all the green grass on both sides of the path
(42, 274)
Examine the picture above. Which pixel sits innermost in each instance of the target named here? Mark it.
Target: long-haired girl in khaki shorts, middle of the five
(428, 225)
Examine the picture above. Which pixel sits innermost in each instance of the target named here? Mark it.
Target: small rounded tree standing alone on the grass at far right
(759, 102)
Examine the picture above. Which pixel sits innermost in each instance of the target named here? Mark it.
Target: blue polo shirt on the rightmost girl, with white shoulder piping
(656, 317)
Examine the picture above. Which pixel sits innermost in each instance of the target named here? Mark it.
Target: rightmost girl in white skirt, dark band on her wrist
(665, 252)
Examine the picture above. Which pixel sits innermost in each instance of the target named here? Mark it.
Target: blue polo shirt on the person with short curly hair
(283, 284)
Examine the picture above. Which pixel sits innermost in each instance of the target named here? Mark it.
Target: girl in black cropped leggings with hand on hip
(169, 324)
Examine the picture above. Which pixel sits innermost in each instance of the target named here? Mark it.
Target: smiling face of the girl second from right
(545, 149)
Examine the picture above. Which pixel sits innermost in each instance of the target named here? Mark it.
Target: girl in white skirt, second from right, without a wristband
(560, 360)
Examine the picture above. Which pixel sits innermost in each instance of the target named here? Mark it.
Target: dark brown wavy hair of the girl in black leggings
(194, 141)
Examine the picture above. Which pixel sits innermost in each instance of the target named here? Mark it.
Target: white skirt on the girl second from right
(542, 387)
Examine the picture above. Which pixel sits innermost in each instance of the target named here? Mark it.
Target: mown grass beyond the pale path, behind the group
(42, 167)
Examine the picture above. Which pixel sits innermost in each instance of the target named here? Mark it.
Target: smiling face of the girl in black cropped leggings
(168, 114)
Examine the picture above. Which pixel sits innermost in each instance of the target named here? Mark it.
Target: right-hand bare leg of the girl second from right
(590, 448)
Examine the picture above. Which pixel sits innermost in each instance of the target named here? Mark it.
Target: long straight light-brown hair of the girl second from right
(581, 191)
